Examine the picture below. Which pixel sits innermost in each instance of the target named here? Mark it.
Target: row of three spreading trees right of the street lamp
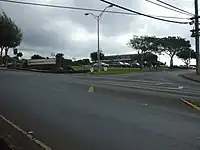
(171, 45)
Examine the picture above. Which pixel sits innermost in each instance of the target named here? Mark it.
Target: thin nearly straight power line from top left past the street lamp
(81, 8)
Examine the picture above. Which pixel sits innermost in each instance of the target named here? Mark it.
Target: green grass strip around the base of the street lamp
(112, 71)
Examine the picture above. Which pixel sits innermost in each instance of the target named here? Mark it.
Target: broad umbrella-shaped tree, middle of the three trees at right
(171, 45)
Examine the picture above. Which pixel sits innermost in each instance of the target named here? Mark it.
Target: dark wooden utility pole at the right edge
(197, 37)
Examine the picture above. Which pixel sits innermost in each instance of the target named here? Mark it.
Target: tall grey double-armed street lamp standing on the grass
(98, 17)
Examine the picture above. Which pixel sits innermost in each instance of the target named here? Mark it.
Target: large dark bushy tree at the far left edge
(10, 34)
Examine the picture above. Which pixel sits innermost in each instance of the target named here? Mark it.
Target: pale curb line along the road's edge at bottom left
(41, 144)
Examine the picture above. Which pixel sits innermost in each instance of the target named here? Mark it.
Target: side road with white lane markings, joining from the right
(167, 82)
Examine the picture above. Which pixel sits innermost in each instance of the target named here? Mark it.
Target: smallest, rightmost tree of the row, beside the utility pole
(186, 55)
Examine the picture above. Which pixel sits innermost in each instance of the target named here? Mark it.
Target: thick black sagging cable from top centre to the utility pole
(142, 14)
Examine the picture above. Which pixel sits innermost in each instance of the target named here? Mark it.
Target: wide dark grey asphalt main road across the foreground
(64, 115)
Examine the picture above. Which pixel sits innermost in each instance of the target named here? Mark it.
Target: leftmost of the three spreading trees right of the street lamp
(142, 44)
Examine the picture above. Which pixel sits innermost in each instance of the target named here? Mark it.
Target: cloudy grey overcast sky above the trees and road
(47, 30)
